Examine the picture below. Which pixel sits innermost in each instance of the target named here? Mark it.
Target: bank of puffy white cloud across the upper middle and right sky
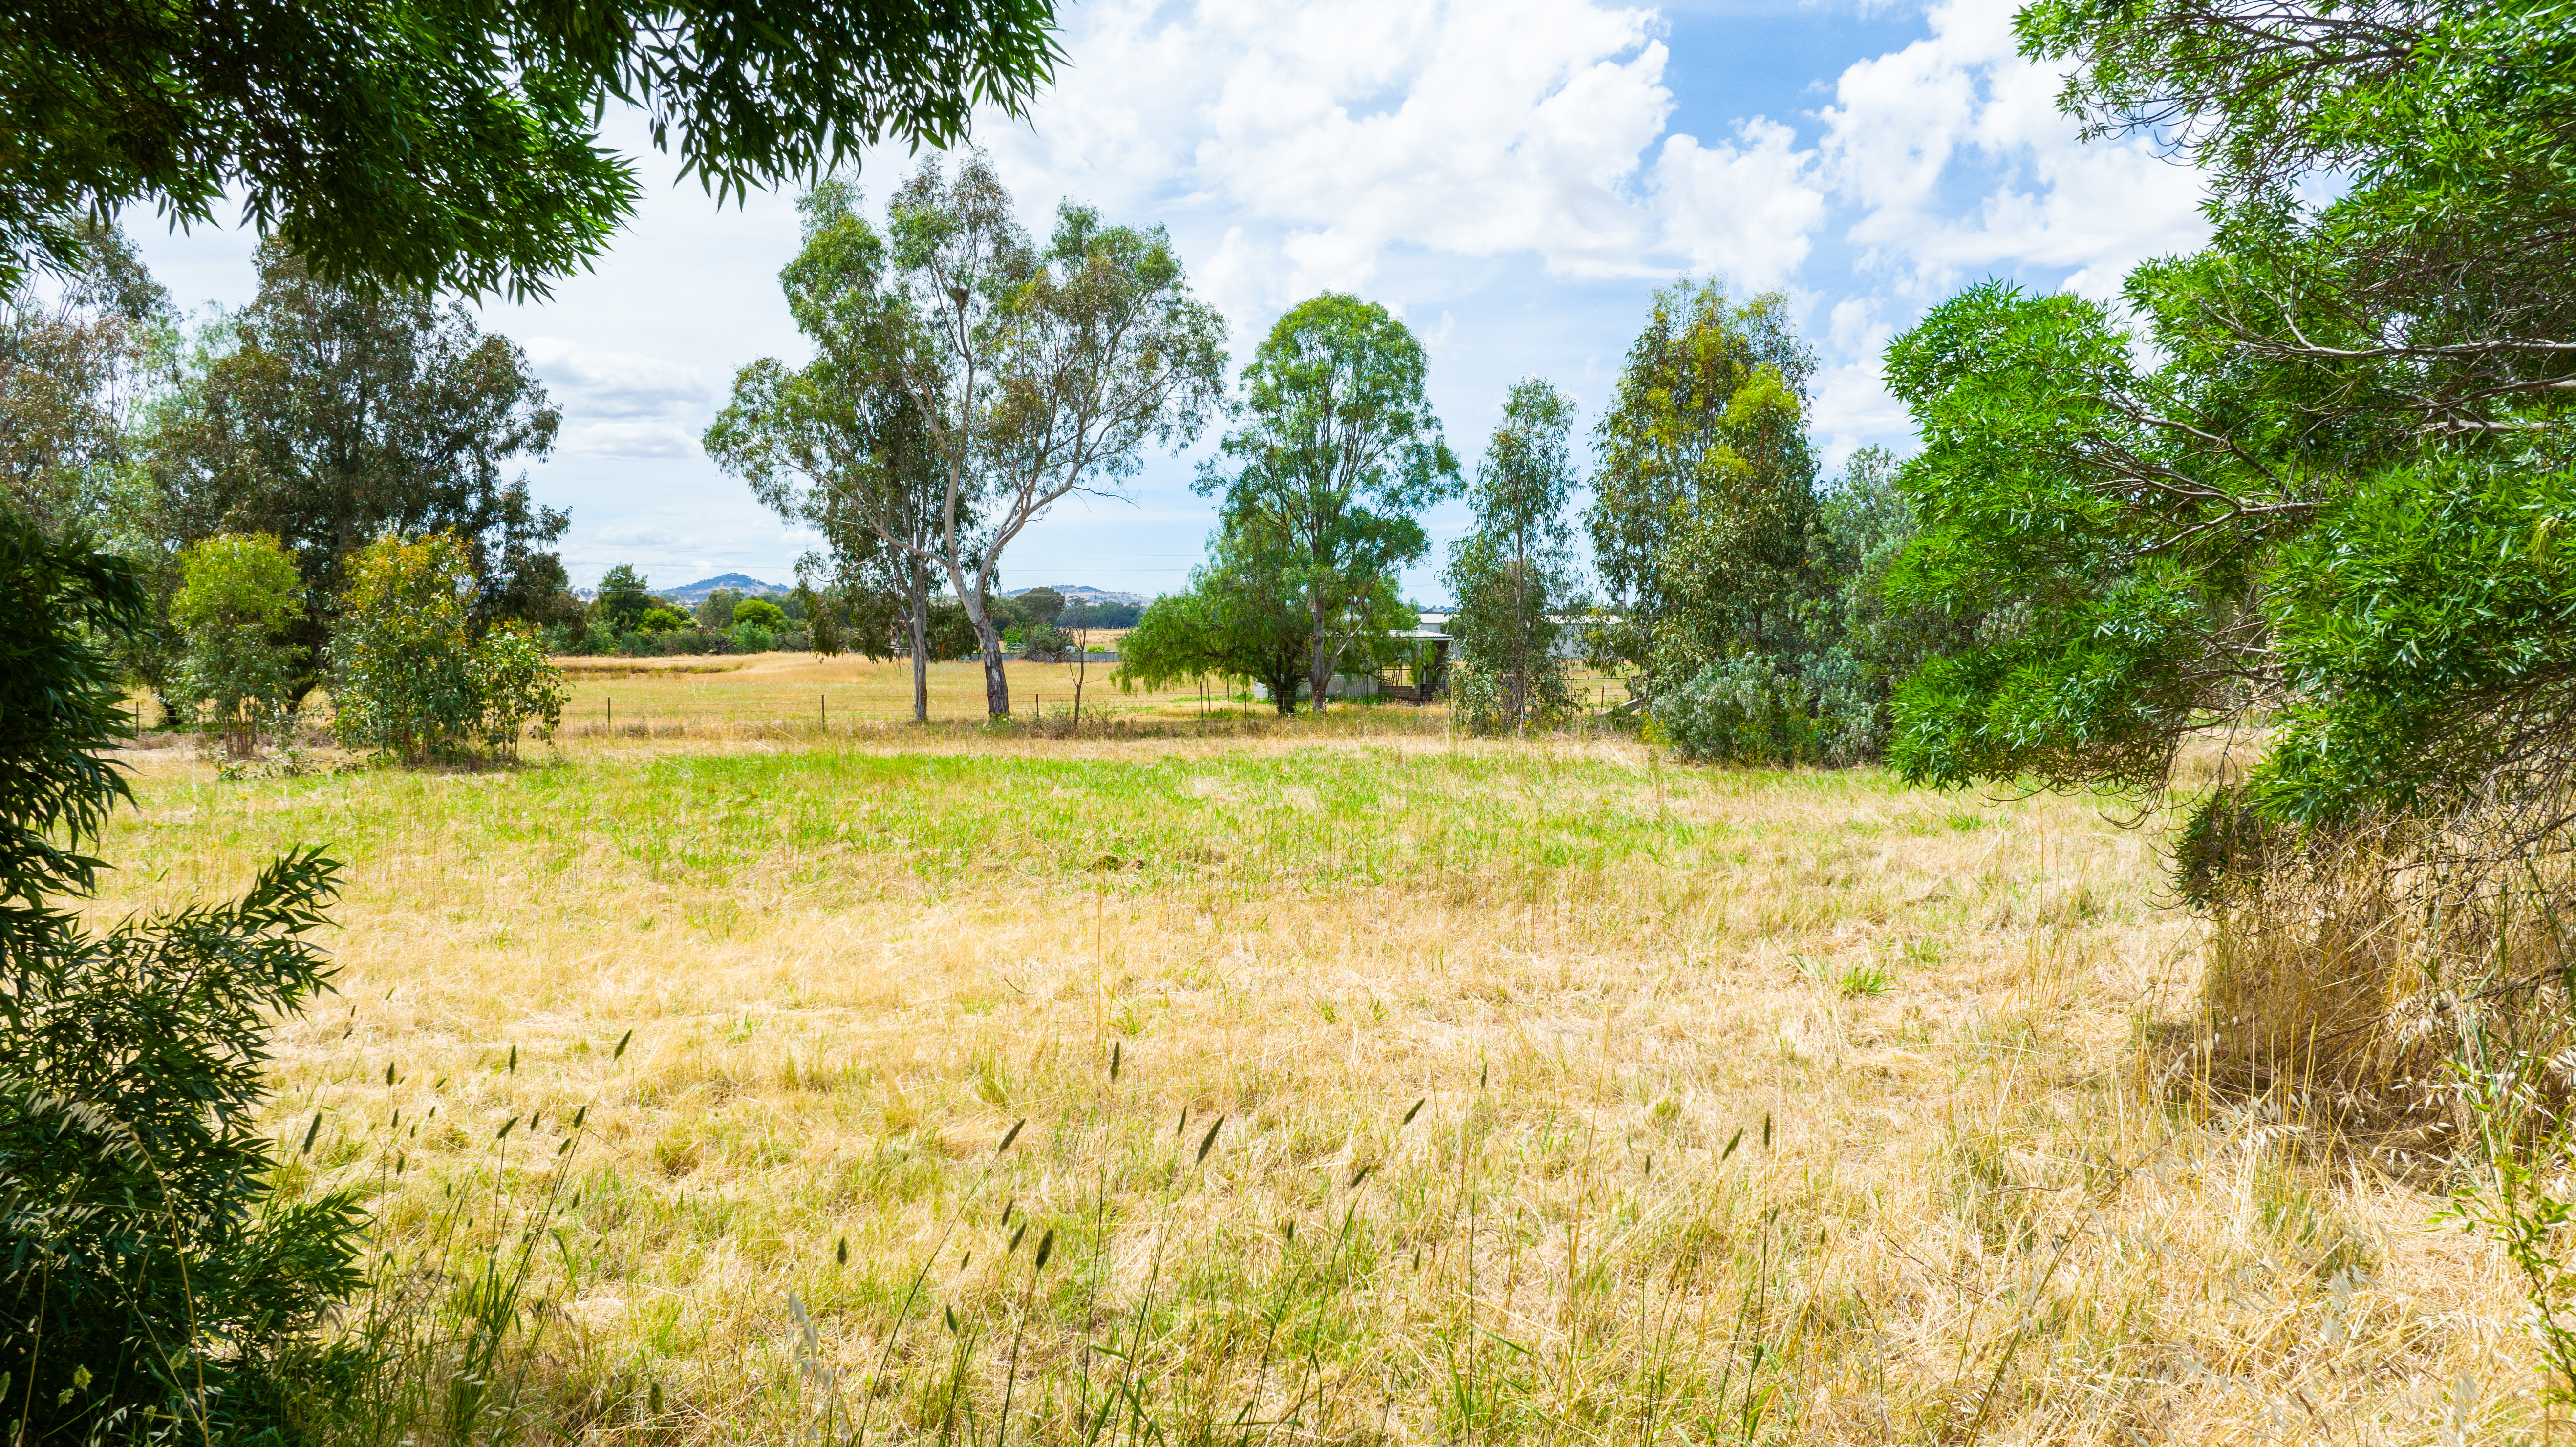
(1405, 145)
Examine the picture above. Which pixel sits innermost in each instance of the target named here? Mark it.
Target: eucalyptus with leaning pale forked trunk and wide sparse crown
(1037, 372)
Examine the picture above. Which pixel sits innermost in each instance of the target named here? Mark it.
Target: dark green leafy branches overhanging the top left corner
(455, 145)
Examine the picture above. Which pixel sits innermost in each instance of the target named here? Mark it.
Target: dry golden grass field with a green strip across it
(1356, 1090)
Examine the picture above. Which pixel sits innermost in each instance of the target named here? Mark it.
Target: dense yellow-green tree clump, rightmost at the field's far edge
(1750, 604)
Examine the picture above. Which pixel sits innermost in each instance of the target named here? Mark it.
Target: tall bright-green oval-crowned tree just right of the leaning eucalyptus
(1336, 460)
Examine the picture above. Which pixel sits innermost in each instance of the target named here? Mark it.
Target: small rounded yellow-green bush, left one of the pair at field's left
(236, 609)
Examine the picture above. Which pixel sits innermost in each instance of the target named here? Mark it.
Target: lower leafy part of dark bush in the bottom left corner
(156, 1291)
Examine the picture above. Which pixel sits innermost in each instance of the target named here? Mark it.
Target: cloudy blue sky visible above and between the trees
(1511, 176)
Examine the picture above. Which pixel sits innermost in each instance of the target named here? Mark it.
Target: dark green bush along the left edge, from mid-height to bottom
(153, 1289)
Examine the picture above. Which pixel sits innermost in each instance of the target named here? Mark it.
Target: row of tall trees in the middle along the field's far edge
(970, 377)
